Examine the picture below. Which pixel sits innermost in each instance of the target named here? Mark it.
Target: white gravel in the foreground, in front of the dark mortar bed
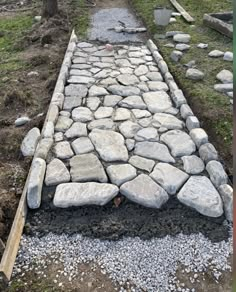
(150, 265)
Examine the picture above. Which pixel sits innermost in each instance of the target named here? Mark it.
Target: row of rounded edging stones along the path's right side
(192, 122)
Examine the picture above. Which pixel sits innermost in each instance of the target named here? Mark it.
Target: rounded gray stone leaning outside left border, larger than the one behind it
(29, 143)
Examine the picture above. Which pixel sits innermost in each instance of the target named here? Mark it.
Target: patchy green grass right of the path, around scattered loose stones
(213, 109)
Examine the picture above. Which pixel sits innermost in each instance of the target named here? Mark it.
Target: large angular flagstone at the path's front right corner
(192, 192)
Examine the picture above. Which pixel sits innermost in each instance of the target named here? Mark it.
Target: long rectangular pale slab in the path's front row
(80, 194)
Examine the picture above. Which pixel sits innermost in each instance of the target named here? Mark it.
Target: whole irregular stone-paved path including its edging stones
(124, 127)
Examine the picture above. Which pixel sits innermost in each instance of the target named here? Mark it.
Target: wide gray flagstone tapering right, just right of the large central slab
(153, 150)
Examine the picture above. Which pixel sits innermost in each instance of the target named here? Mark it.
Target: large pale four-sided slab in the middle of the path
(109, 144)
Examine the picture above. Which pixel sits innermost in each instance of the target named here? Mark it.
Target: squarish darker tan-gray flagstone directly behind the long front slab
(86, 168)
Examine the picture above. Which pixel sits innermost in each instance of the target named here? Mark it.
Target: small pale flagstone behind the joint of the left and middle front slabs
(121, 173)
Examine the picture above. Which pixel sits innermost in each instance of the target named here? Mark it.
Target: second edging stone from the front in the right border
(217, 173)
